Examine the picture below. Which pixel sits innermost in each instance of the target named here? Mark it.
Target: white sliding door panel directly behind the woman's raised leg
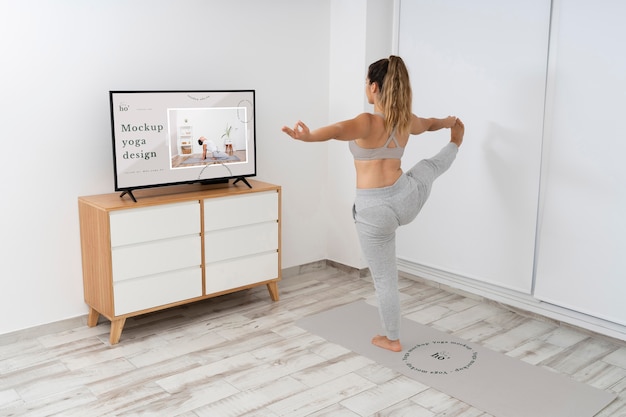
(484, 61)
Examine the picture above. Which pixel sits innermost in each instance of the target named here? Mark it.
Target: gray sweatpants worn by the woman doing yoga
(378, 212)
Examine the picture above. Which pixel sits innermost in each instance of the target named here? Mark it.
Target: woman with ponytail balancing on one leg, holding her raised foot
(386, 197)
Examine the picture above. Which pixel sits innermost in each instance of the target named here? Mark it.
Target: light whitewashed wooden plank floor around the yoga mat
(242, 355)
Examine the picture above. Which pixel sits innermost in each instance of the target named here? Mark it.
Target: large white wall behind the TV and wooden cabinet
(60, 59)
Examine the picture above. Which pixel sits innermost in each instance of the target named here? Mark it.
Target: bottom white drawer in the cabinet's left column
(156, 290)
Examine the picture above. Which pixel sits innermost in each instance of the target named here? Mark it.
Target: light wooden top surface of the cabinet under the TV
(178, 193)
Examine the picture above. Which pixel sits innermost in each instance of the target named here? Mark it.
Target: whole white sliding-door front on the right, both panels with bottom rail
(541, 92)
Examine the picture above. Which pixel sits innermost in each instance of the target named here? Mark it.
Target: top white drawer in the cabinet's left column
(152, 223)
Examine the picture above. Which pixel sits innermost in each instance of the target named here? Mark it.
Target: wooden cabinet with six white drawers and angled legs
(171, 249)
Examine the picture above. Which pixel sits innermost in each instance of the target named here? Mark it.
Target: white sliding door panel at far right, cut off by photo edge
(581, 258)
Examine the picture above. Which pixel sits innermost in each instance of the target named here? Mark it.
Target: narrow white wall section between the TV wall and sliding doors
(361, 33)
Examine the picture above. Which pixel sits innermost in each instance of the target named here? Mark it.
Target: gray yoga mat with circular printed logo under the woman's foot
(487, 380)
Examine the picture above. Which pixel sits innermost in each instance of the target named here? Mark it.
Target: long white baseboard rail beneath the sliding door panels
(513, 299)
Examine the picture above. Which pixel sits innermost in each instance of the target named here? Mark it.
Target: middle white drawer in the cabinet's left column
(132, 261)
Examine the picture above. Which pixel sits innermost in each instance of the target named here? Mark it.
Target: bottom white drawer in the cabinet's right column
(221, 276)
